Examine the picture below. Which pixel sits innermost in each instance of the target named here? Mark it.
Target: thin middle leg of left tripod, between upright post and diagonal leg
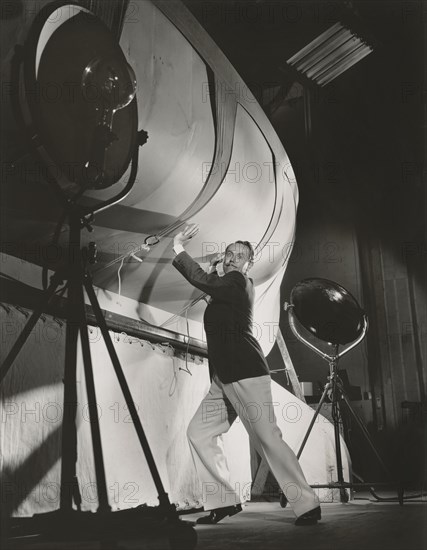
(101, 482)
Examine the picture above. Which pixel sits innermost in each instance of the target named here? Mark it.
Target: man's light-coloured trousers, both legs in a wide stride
(252, 401)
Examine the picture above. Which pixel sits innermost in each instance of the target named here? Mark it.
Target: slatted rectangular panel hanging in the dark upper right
(330, 54)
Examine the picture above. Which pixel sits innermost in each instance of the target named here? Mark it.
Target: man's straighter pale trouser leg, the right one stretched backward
(253, 401)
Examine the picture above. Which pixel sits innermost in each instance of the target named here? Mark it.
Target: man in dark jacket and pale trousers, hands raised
(241, 386)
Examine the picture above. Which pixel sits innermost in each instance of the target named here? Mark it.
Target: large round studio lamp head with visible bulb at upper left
(79, 99)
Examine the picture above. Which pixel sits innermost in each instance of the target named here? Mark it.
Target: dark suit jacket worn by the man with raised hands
(234, 353)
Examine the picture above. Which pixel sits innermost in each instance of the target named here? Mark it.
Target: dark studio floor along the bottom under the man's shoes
(363, 524)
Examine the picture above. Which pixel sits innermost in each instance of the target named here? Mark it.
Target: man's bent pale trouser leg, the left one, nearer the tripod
(213, 418)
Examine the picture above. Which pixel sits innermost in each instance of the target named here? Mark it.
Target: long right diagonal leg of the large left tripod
(163, 497)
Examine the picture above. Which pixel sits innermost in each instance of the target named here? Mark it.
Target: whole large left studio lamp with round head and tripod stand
(97, 64)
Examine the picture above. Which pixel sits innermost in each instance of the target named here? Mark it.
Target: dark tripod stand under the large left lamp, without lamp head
(79, 279)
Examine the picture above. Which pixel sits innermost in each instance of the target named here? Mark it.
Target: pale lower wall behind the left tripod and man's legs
(167, 390)
